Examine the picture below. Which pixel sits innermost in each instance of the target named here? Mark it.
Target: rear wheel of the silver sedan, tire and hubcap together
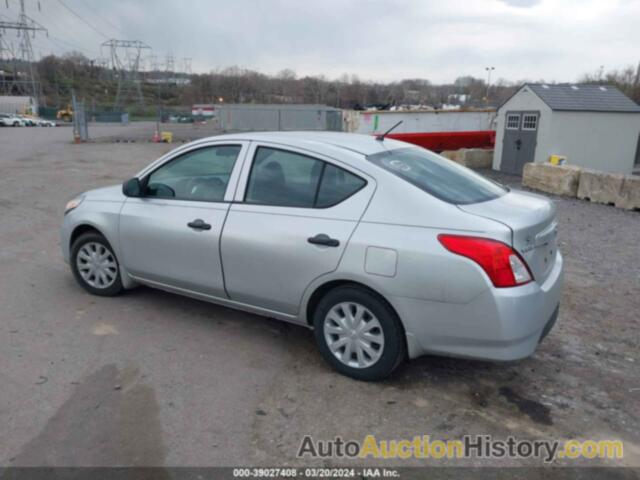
(358, 333)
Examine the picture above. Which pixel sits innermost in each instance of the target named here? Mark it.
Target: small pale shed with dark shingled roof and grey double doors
(593, 126)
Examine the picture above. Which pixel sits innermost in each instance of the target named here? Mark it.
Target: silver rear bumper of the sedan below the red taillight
(500, 324)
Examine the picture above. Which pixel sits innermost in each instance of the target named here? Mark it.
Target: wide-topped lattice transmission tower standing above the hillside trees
(125, 62)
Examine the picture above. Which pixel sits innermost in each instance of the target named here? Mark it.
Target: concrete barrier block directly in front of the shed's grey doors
(556, 179)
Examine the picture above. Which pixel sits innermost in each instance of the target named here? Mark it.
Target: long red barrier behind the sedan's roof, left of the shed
(439, 141)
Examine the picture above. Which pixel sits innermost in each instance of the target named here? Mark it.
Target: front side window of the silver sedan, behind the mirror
(200, 175)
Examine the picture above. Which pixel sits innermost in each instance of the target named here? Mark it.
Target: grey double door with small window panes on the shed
(519, 143)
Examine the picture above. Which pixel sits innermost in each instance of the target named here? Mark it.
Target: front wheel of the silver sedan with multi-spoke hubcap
(95, 266)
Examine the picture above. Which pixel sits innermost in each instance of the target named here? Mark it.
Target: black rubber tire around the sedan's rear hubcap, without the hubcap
(394, 350)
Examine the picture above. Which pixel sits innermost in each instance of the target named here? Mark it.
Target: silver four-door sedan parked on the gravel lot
(386, 250)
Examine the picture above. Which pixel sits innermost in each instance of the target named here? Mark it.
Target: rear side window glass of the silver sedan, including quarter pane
(288, 179)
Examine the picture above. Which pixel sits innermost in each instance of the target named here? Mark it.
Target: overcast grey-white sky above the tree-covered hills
(554, 40)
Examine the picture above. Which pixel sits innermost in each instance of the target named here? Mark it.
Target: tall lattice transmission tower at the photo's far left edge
(20, 78)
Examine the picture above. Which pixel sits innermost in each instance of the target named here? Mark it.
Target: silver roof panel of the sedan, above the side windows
(354, 142)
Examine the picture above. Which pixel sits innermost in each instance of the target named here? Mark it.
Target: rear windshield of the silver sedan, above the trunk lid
(438, 176)
